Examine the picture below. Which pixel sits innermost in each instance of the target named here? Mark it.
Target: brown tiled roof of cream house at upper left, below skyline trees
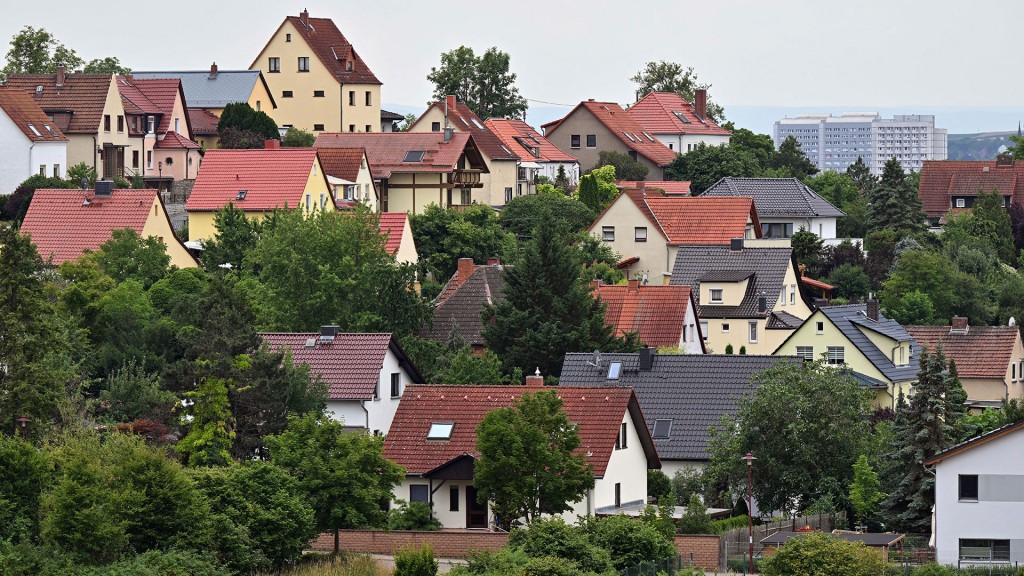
(84, 96)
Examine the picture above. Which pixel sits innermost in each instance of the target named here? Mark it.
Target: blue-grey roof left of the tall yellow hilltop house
(204, 90)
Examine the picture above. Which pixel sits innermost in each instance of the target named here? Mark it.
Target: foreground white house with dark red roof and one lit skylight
(434, 437)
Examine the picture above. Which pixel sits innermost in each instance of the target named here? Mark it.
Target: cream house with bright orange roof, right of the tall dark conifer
(647, 228)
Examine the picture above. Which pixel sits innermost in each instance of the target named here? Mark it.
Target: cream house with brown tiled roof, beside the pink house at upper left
(88, 109)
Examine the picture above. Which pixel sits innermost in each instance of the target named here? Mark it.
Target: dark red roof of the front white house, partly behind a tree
(598, 413)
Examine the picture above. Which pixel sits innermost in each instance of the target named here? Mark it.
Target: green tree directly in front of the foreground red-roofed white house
(528, 467)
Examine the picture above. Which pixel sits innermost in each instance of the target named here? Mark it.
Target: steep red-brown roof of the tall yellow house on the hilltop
(331, 48)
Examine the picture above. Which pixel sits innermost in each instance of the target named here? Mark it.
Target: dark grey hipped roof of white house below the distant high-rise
(777, 197)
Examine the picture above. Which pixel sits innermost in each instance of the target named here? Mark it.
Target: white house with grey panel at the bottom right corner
(978, 504)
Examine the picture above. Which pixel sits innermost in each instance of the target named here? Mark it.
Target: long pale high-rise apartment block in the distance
(833, 143)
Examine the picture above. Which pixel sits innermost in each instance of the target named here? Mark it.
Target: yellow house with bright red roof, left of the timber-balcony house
(257, 182)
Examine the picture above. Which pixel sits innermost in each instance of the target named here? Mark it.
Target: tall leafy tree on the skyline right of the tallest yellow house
(484, 83)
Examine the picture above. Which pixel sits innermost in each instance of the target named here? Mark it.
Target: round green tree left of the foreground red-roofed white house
(345, 476)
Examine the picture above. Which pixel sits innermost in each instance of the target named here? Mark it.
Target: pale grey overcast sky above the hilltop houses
(921, 57)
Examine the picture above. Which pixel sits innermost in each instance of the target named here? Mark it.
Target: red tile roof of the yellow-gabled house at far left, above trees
(63, 227)
